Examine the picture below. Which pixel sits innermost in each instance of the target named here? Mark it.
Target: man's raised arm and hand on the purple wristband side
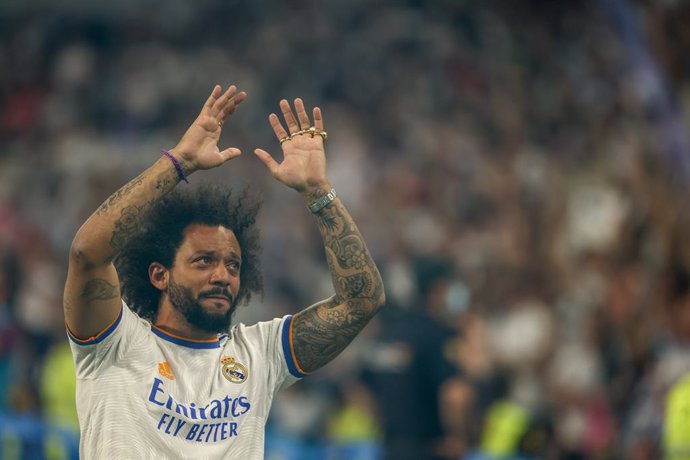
(92, 291)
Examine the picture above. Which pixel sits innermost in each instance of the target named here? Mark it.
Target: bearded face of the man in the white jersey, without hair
(205, 279)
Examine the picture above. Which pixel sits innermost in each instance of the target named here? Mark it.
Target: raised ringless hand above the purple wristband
(198, 148)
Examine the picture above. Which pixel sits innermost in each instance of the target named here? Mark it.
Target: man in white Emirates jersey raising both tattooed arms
(181, 385)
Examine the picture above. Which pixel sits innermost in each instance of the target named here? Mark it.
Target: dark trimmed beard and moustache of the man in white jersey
(184, 301)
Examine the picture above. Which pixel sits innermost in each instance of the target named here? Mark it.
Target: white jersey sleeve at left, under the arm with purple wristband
(109, 346)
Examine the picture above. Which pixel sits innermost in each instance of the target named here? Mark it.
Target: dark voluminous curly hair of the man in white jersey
(161, 232)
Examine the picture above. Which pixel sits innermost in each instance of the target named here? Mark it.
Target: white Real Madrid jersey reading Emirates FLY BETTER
(143, 393)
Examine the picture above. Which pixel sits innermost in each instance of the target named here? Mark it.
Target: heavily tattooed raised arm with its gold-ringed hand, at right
(323, 330)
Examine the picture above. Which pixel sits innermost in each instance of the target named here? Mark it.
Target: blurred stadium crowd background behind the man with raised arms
(519, 169)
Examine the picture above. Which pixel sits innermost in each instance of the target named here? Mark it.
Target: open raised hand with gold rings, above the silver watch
(304, 160)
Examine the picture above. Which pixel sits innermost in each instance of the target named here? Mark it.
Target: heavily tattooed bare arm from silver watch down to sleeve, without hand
(323, 330)
